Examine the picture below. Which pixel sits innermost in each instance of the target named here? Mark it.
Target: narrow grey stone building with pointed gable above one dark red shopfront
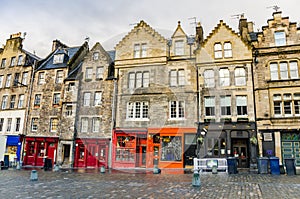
(94, 109)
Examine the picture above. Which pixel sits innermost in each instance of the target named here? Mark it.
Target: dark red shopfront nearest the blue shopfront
(39, 148)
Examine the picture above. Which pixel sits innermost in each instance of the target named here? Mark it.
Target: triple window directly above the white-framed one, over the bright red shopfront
(138, 79)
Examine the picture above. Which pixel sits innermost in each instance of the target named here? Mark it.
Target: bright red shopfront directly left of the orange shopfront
(129, 148)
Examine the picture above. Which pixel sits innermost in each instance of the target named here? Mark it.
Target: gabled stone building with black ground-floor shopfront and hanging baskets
(226, 102)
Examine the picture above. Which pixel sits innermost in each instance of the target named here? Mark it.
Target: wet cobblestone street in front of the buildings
(93, 184)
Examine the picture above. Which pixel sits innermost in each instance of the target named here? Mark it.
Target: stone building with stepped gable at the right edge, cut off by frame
(277, 87)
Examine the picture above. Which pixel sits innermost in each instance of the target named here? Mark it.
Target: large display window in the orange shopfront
(171, 148)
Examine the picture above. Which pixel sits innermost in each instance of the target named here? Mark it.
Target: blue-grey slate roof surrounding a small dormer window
(69, 53)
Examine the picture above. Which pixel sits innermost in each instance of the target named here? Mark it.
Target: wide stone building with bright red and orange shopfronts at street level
(156, 99)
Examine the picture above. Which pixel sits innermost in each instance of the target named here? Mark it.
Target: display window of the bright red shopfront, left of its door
(125, 148)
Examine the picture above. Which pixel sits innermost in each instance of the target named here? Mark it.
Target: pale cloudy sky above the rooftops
(106, 21)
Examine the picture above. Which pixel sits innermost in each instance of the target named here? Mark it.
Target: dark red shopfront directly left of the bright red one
(91, 152)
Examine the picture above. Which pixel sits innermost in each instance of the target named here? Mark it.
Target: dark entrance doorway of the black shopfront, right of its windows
(240, 151)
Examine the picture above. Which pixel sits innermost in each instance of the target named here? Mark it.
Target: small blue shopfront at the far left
(13, 150)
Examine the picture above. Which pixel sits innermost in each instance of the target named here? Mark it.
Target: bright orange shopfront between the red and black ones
(167, 147)
